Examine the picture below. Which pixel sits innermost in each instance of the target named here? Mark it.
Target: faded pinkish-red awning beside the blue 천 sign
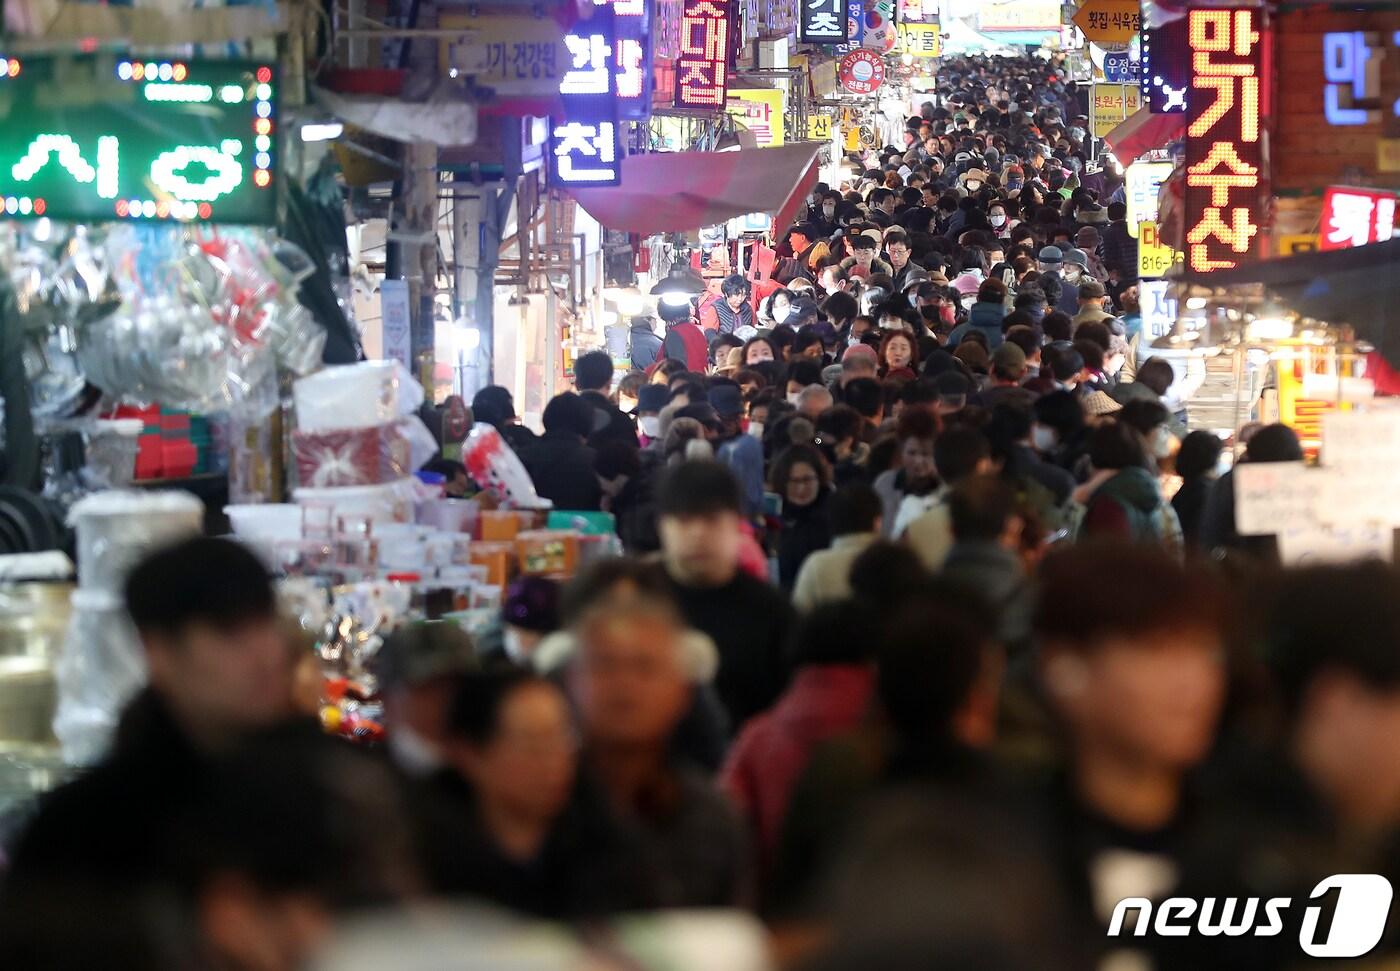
(677, 192)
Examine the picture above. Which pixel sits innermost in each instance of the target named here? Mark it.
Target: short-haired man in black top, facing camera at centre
(699, 517)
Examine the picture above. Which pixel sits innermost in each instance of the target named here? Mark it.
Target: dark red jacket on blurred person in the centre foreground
(773, 749)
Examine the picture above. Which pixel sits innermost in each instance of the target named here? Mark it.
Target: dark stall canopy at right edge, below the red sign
(1357, 286)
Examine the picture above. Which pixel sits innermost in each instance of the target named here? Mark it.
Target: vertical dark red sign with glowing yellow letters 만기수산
(1224, 138)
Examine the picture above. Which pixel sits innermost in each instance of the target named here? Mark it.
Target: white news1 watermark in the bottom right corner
(1345, 916)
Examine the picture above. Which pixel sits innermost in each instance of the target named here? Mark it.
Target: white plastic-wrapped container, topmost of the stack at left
(356, 397)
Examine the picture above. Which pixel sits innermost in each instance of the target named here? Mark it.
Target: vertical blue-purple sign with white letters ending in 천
(586, 142)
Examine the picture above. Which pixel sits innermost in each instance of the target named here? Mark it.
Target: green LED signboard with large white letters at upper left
(104, 138)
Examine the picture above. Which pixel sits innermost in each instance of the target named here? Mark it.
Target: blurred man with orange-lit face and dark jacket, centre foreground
(632, 692)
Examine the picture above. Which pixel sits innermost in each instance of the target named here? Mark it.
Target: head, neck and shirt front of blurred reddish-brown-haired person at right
(1136, 683)
